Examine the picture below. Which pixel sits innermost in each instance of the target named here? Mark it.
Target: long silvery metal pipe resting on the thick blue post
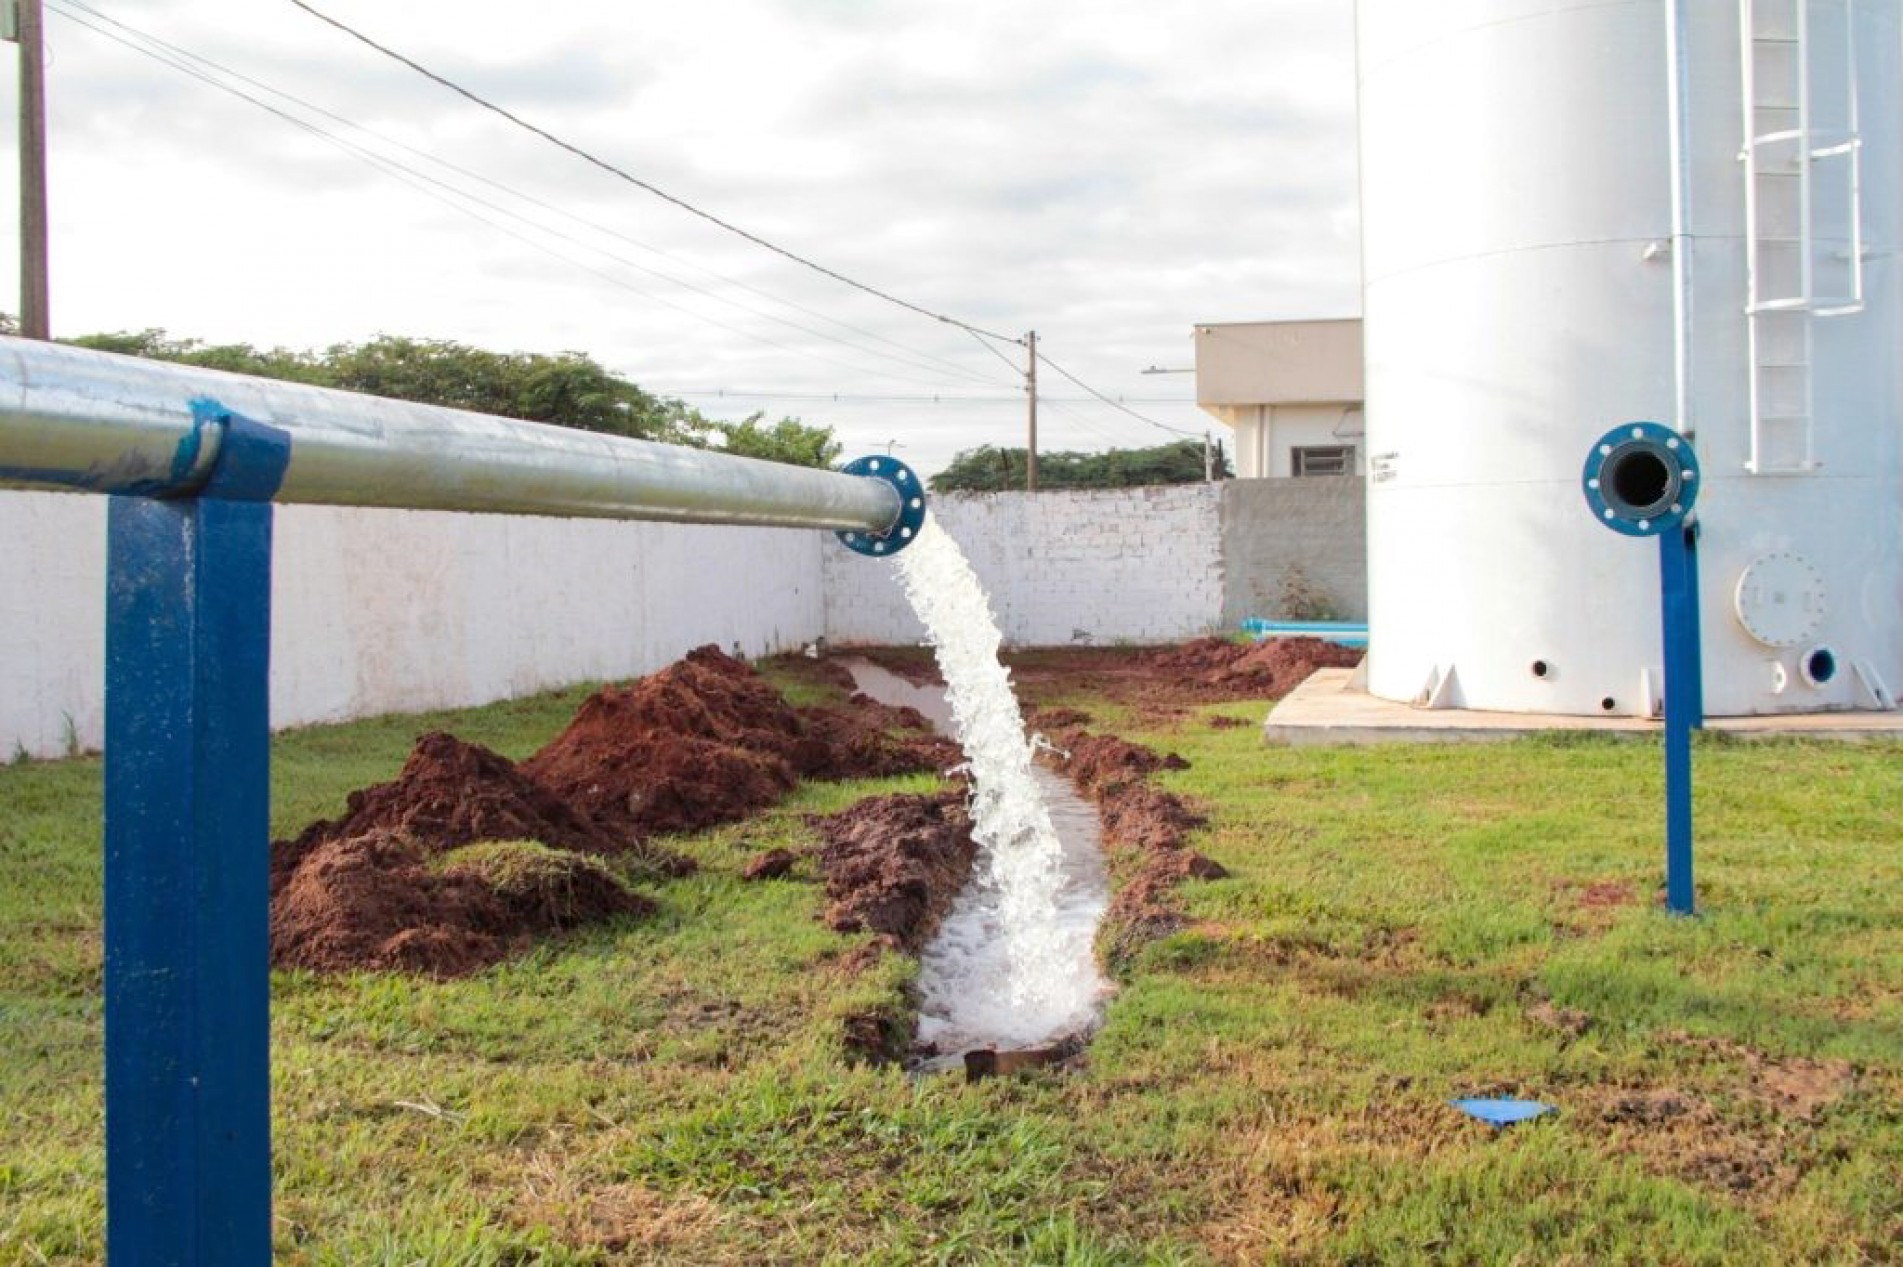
(81, 419)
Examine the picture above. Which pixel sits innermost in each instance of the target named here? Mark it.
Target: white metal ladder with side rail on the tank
(1803, 163)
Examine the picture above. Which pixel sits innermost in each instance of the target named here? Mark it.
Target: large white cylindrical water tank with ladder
(1521, 298)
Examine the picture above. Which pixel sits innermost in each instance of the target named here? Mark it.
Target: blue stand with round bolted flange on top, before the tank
(1641, 480)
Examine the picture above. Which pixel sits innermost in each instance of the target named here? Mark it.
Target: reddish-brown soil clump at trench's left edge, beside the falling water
(893, 865)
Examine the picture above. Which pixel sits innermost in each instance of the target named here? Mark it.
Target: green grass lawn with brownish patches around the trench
(1402, 927)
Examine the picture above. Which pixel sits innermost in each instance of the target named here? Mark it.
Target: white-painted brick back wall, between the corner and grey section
(1076, 568)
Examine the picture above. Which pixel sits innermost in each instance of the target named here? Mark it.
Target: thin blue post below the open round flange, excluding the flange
(1683, 705)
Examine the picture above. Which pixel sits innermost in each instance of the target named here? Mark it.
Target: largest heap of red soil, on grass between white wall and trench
(699, 743)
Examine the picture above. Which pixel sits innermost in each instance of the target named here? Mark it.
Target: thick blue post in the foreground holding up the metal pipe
(187, 865)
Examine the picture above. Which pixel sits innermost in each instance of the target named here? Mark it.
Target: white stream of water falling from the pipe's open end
(1019, 853)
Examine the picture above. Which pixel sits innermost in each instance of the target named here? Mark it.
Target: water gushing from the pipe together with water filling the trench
(1015, 960)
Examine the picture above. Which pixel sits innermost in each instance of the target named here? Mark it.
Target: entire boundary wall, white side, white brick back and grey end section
(382, 612)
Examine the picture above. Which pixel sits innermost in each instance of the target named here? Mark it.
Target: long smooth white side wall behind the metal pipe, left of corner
(380, 612)
